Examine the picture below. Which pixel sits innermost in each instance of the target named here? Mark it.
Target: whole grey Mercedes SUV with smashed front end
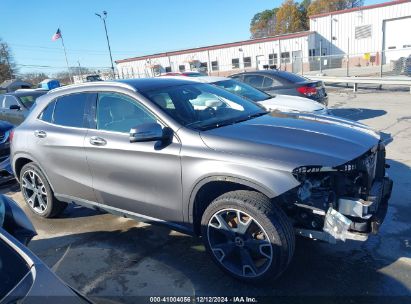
(206, 162)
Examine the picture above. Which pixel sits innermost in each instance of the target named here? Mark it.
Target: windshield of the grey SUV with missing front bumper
(203, 106)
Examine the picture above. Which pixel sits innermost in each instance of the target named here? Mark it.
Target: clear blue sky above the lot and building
(135, 27)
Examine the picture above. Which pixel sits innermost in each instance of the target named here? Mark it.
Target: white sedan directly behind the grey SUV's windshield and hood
(283, 103)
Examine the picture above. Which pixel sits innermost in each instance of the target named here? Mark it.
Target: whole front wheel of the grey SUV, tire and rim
(248, 236)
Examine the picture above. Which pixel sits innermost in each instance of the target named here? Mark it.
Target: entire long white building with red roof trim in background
(367, 34)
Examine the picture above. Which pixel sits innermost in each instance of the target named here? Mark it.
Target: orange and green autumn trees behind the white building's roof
(292, 16)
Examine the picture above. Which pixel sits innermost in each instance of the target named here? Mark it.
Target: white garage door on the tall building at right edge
(397, 39)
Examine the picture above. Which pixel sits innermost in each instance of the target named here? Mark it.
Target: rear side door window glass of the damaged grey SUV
(69, 110)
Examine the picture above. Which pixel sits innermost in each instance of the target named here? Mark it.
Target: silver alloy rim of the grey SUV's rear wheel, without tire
(34, 191)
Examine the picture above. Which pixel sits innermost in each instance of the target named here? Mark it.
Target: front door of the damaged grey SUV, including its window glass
(139, 177)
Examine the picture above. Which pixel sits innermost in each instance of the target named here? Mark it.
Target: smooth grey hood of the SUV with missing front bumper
(294, 140)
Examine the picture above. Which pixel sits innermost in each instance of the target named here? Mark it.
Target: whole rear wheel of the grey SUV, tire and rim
(37, 192)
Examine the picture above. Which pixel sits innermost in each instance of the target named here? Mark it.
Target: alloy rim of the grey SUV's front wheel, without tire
(239, 243)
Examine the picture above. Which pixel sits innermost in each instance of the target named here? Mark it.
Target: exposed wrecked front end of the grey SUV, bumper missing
(344, 202)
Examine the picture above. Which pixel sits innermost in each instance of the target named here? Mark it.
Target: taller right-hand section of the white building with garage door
(380, 28)
